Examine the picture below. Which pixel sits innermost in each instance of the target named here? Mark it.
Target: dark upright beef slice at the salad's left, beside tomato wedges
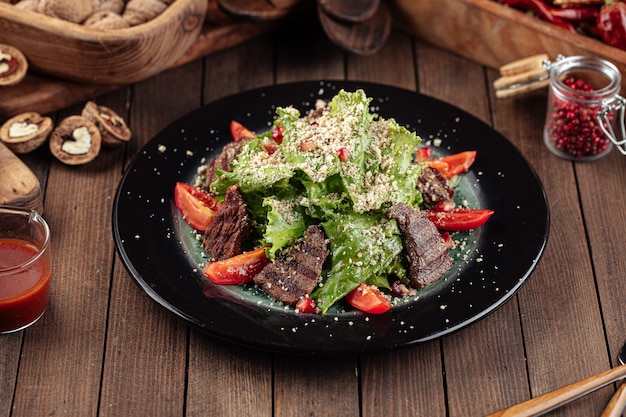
(226, 234)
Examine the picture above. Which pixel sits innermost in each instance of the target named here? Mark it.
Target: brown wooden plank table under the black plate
(104, 348)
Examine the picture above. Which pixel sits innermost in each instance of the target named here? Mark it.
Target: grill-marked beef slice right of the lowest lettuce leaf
(426, 252)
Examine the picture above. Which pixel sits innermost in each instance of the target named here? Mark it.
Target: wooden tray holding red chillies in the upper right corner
(492, 34)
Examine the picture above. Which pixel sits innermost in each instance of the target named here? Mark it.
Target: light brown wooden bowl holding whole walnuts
(117, 56)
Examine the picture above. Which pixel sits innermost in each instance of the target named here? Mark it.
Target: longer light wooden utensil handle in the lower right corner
(551, 400)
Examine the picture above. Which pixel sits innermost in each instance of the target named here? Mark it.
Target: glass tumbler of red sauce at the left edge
(25, 268)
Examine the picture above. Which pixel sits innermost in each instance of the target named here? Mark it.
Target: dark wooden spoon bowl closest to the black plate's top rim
(363, 38)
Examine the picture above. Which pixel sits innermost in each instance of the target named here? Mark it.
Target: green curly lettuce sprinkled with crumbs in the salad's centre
(304, 181)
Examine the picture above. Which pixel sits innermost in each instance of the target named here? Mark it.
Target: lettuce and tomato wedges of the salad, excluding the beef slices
(341, 168)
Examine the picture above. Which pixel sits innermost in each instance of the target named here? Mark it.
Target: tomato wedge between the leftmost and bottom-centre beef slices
(238, 269)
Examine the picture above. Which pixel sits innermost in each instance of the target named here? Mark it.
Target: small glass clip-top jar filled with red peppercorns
(584, 108)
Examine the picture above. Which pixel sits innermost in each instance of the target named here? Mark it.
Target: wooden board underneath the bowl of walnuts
(44, 94)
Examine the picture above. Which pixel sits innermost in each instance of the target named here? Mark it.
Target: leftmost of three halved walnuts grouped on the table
(25, 132)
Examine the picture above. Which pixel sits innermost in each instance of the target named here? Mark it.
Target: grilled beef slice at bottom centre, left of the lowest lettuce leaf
(295, 273)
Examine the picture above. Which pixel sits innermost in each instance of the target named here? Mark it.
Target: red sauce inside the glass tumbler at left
(24, 294)
